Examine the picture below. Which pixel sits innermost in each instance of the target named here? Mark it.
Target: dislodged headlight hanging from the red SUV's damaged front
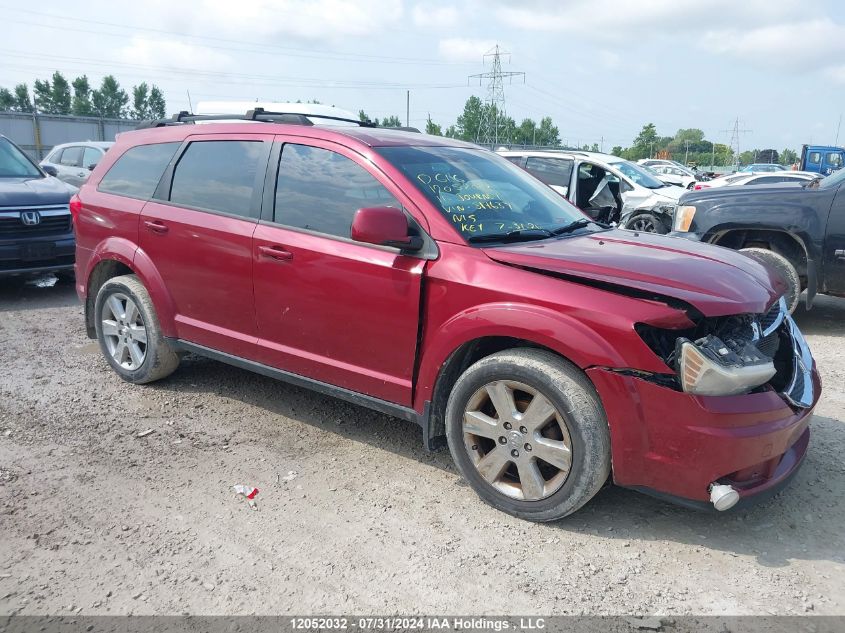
(709, 368)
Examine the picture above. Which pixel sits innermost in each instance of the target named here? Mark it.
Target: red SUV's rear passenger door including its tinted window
(198, 232)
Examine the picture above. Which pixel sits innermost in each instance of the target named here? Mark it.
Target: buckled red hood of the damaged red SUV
(716, 281)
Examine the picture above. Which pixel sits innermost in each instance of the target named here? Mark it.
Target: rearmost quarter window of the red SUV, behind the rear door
(137, 172)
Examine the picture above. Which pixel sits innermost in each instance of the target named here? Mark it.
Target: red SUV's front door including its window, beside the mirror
(328, 308)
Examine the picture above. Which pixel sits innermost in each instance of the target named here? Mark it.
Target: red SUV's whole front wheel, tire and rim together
(527, 431)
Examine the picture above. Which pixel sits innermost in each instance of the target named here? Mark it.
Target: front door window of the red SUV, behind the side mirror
(320, 190)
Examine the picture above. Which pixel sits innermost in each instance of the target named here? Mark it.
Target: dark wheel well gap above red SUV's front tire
(457, 363)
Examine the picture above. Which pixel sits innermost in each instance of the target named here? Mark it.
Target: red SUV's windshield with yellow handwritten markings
(483, 195)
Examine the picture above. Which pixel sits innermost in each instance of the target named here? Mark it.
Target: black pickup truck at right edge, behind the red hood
(799, 229)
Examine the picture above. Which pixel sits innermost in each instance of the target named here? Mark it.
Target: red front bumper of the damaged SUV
(675, 444)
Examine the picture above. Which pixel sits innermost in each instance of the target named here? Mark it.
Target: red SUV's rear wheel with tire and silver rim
(129, 333)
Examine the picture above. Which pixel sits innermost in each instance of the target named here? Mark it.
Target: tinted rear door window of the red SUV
(217, 176)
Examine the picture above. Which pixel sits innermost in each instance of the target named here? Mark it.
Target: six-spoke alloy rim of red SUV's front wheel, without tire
(517, 440)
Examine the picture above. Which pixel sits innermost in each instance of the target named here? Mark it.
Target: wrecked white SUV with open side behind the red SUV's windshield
(607, 188)
